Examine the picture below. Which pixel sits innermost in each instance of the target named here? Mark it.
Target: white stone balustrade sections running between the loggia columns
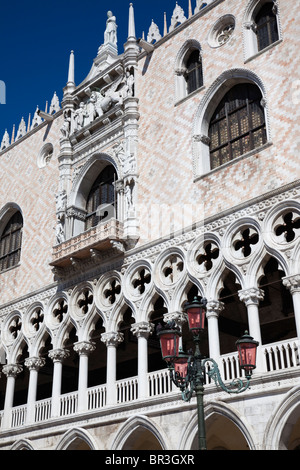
(277, 357)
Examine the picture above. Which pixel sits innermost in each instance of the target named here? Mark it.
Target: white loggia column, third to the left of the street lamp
(83, 348)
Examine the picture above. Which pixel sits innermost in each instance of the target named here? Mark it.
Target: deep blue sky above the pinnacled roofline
(36, 37)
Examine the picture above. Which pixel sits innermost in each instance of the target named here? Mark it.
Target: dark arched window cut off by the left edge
(10, 242)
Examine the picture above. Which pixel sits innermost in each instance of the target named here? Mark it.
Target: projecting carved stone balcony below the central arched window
(82, 246)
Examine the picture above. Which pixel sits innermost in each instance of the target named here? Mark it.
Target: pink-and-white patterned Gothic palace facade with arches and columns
(171, 171)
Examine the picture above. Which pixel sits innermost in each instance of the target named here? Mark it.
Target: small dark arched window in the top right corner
(266, 26)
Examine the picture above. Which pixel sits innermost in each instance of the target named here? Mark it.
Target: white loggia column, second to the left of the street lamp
(111, 340)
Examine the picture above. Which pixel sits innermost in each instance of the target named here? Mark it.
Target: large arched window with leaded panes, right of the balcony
(237, 125)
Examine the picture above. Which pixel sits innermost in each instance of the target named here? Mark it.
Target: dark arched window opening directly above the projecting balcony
(101, 201)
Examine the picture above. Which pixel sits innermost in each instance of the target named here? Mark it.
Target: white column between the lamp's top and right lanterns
(213, 309)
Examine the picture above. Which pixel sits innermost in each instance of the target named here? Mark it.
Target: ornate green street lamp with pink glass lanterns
(188, 371)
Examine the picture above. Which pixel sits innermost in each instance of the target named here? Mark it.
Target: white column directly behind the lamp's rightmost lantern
(251, 297)
